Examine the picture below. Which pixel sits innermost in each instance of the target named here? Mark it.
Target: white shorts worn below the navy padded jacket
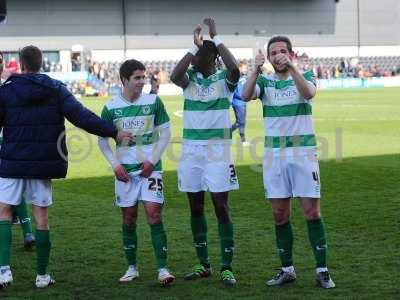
(35, 191)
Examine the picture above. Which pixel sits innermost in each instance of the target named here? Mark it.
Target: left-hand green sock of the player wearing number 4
(284, 242)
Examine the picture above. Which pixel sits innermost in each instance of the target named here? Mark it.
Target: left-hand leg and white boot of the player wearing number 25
(129, 241)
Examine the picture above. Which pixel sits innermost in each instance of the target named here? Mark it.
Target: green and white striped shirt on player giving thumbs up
(287, 115)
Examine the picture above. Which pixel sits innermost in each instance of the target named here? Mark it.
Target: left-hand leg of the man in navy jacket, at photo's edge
(5, 244)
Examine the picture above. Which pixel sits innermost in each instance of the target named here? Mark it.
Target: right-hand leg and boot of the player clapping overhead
(225, 230)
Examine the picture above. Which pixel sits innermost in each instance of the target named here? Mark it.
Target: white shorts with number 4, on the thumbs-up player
(291, 176)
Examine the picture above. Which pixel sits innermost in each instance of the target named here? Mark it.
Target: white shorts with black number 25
(139, 188)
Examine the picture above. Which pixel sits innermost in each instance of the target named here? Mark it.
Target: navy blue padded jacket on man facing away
(33, 108)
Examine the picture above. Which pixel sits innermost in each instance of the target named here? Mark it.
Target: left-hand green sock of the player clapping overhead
(199, 231)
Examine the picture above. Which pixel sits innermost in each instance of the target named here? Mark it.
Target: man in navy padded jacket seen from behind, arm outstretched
(33, 108)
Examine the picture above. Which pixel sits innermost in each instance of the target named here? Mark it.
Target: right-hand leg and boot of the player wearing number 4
(316, 235)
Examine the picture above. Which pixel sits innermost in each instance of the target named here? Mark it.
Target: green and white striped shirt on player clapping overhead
(206, 108)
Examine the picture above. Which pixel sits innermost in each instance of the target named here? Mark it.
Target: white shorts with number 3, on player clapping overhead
(207, 168)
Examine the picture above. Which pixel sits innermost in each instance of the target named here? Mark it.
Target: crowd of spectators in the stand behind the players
(158, 72)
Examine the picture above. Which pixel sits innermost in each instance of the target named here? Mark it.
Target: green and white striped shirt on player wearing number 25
(141, 117)
